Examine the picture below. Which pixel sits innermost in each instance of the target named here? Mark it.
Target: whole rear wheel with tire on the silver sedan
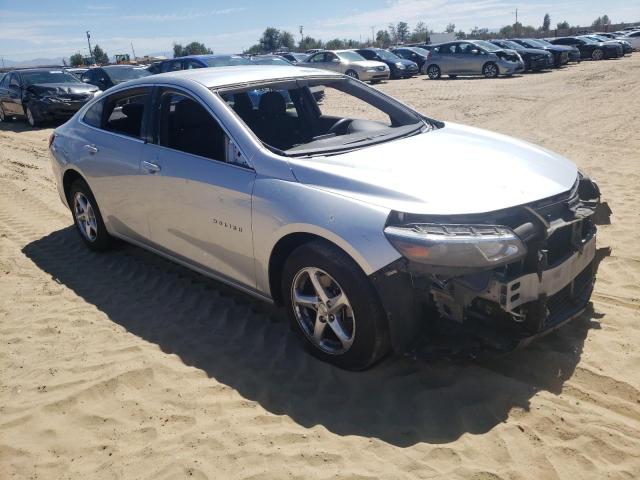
(87, 217)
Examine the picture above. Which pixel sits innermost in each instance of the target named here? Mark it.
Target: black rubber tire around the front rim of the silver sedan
(370, 329)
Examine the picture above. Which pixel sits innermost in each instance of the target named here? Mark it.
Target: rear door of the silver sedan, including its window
(108, 153)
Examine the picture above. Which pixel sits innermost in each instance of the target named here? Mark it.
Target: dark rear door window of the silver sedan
(124, 112)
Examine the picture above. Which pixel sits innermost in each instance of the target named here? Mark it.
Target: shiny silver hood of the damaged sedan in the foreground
(452, 170)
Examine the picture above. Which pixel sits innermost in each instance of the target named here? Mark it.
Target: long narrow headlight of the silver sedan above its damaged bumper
(457, 245)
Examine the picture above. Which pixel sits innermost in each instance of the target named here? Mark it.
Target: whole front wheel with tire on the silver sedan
(361, 320)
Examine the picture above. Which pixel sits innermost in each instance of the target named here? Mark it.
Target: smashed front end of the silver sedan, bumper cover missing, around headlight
(547, 281)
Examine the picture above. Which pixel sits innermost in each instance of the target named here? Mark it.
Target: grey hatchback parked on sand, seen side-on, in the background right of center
(475, 57)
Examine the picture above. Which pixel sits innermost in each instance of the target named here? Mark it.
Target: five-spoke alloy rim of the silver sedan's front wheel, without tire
(323, 311)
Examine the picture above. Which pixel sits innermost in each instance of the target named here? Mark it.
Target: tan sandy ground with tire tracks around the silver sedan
(125, 366)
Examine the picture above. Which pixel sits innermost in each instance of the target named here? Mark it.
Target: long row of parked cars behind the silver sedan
(42, 94)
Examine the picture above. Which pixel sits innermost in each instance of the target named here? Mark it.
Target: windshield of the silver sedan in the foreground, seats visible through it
(303, 117)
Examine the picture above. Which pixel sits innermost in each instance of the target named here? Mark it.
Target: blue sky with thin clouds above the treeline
(47, 29)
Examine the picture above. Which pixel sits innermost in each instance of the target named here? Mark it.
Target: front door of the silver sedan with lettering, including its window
(199, 189)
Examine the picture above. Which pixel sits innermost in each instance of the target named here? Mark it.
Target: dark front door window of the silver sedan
(187, 126)
